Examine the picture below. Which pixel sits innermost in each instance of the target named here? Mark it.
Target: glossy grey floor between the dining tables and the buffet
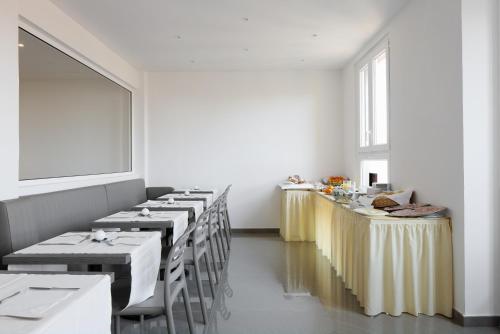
(276, 287)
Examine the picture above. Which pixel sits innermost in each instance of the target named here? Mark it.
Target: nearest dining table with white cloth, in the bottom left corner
(54, 303)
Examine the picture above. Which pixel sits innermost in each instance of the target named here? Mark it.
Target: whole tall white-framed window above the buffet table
(373, 107)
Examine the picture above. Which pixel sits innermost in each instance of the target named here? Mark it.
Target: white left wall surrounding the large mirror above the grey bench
(44, 19)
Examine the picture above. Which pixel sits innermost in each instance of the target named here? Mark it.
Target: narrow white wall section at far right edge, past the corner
(481, 156)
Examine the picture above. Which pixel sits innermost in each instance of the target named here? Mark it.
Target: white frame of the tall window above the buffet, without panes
(373, 152)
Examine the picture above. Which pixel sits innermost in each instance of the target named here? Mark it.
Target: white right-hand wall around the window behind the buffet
(426, 113)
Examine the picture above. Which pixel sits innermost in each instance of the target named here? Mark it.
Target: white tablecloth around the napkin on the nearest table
(86, 310)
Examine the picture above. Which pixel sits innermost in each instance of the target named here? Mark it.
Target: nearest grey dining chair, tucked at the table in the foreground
(166, 291)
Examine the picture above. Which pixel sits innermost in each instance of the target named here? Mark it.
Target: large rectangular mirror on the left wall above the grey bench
(73, 121)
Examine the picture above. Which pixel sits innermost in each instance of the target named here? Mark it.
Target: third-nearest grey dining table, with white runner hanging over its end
(161, 220)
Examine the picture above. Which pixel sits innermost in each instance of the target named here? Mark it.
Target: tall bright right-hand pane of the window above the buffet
(380, 99)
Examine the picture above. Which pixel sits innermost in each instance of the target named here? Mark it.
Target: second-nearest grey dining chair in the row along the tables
(193, 255)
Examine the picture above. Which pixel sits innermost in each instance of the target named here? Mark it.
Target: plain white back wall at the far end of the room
(250, 129)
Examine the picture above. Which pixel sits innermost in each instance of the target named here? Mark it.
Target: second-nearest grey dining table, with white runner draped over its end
(138, 251)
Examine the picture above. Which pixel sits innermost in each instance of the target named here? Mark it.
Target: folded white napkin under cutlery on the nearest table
(33, 304)
